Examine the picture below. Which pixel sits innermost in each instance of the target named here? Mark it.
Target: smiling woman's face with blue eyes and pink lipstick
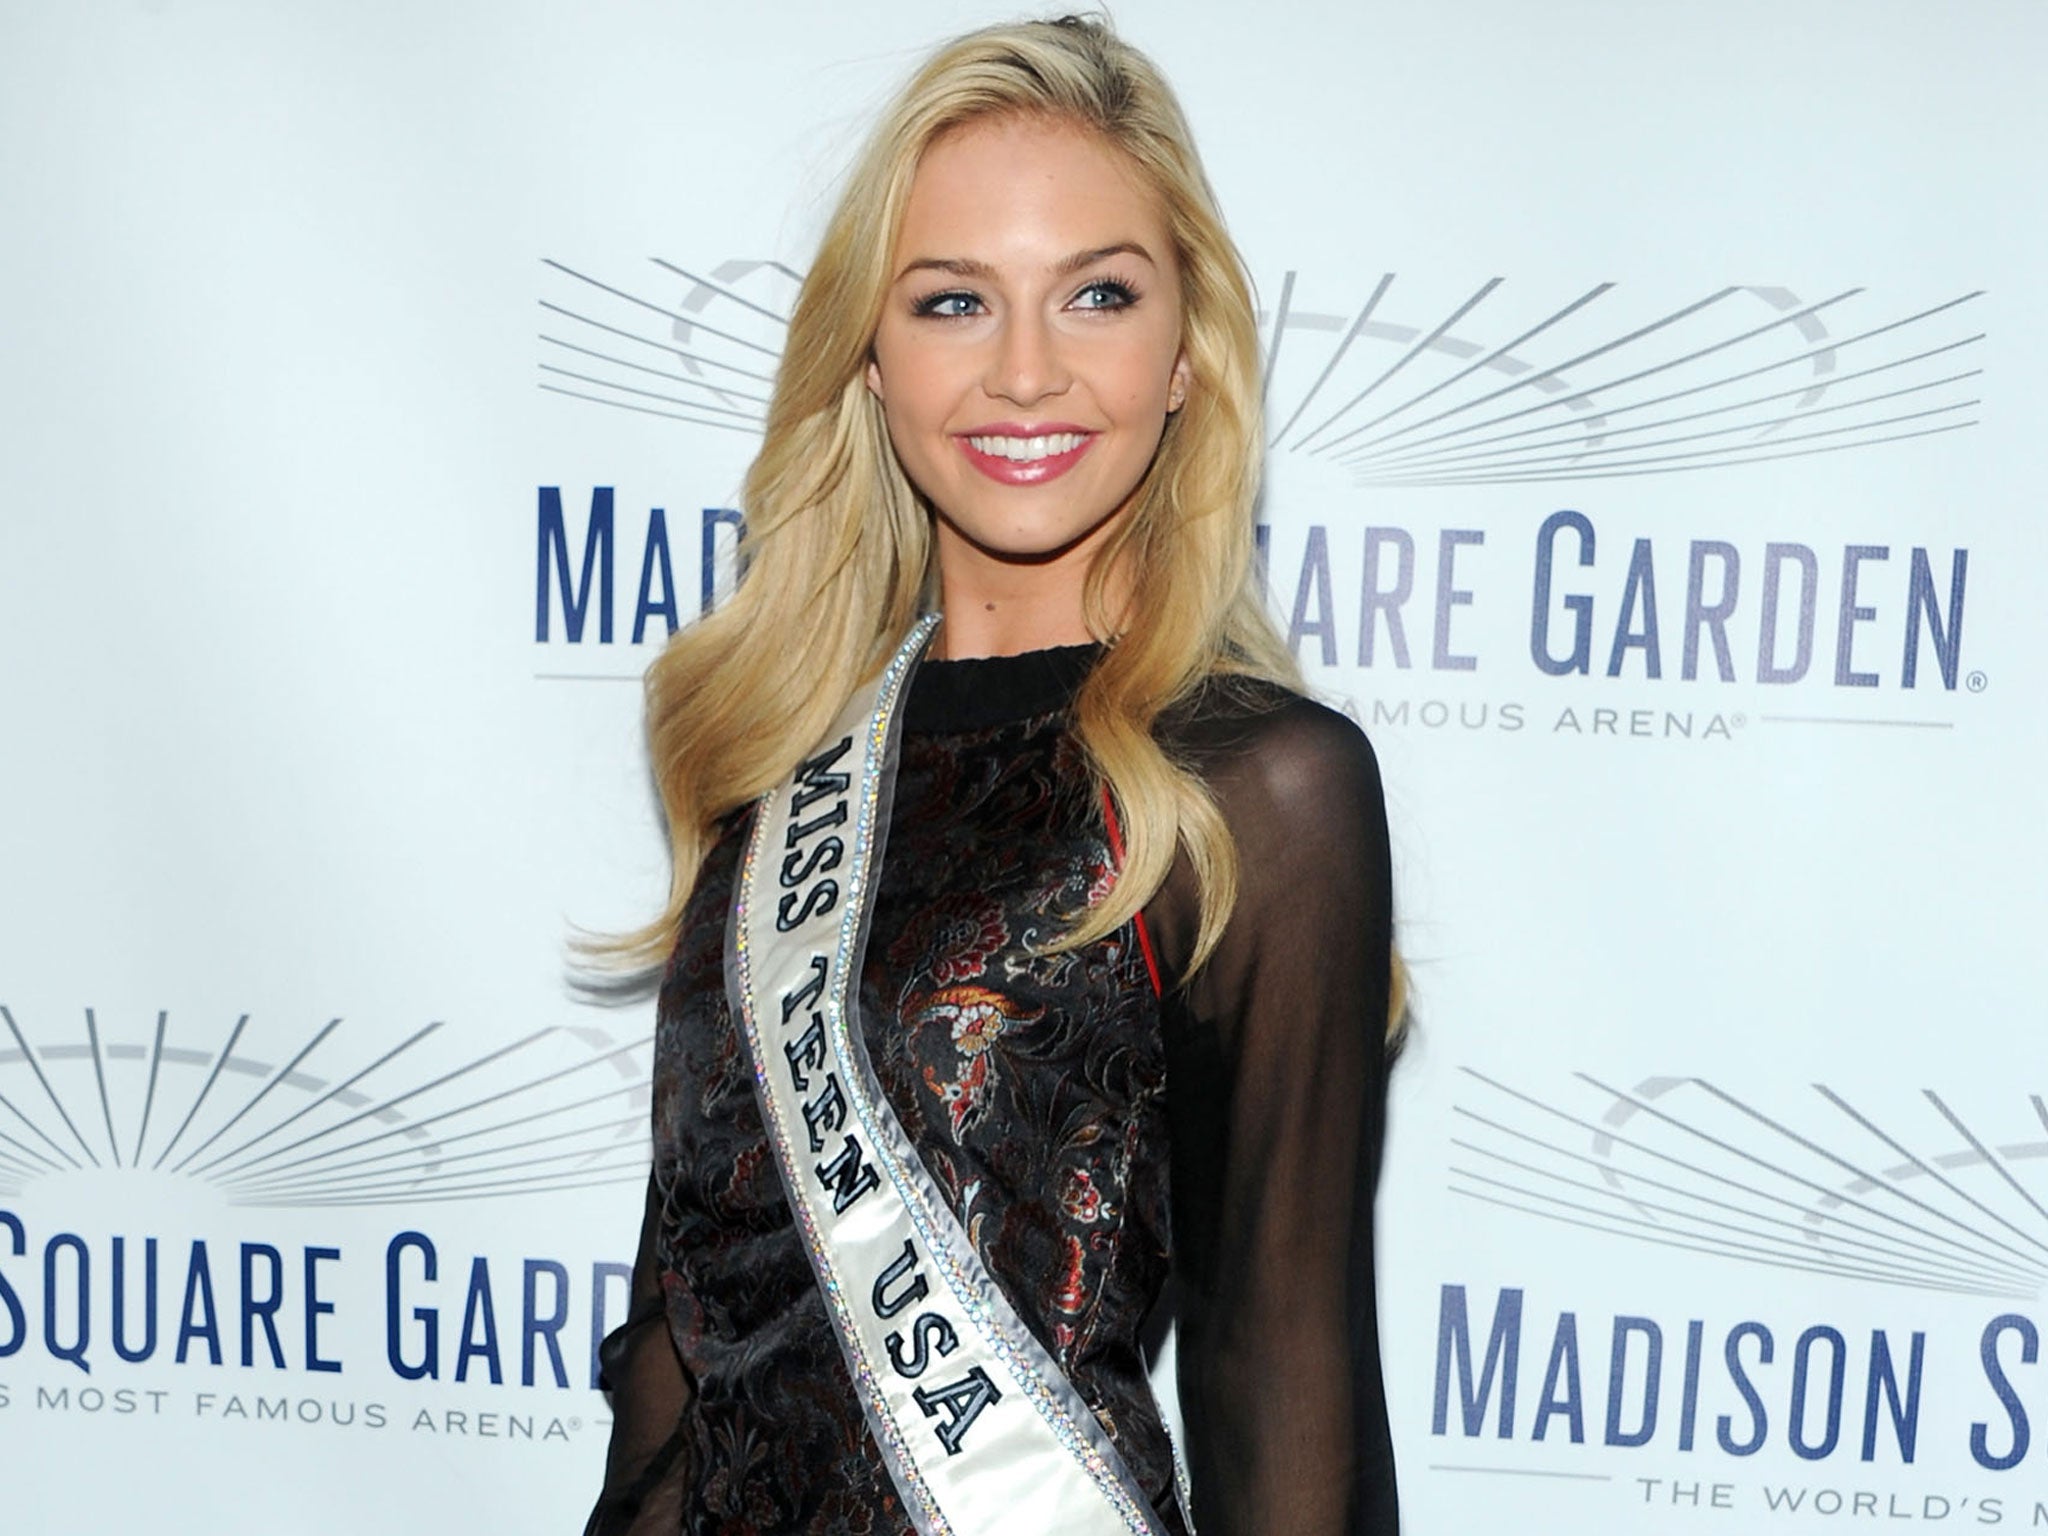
(1029, 349)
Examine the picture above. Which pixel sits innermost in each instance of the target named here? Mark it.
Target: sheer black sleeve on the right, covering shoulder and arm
(1277, 1078)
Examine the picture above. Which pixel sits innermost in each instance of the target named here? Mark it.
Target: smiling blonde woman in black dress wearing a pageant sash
(1035, 994)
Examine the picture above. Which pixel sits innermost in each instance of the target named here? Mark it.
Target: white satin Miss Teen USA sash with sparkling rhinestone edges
(980, 1426)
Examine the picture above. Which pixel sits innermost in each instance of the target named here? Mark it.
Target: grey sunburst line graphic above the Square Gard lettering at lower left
(321, 1121)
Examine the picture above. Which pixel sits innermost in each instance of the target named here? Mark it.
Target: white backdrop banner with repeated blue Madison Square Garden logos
(1656, 474)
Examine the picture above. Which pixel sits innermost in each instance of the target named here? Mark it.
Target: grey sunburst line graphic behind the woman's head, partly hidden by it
(1408, 386)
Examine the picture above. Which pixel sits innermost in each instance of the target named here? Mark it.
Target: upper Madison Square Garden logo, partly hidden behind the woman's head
(1457, 490)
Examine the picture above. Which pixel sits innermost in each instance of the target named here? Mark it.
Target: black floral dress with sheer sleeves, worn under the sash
(1117, 1154)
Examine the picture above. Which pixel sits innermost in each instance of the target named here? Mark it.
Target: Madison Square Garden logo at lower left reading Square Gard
(191, 1195)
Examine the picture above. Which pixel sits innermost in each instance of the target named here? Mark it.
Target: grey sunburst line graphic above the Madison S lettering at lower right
(1910, 1193)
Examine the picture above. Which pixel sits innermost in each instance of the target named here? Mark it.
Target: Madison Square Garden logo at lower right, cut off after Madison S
(1912, 1205)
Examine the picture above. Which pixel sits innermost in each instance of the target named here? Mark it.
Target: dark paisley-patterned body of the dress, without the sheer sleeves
(1029, 1082)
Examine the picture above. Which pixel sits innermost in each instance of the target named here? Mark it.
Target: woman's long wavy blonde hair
(839, 544)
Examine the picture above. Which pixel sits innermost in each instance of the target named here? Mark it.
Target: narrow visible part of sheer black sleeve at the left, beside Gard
(646, 1465)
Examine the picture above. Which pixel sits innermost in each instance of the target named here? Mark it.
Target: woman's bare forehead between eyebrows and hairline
(1027, 191)
